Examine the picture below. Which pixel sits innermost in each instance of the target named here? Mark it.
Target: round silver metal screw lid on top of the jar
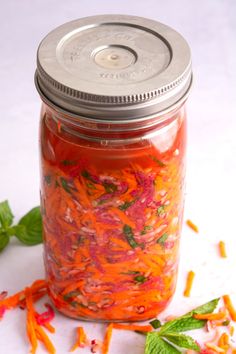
(114, 67)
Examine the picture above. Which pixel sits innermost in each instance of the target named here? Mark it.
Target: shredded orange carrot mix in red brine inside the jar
(123, 264)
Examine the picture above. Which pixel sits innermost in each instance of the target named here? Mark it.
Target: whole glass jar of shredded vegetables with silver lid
(113, 136)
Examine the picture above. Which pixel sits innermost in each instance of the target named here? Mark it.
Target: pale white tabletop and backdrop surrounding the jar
(210, 28)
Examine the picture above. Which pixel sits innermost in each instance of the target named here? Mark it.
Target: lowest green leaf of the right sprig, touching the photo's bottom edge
(156, 345)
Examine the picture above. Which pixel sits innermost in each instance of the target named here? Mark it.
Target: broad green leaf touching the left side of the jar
(29, 228)
